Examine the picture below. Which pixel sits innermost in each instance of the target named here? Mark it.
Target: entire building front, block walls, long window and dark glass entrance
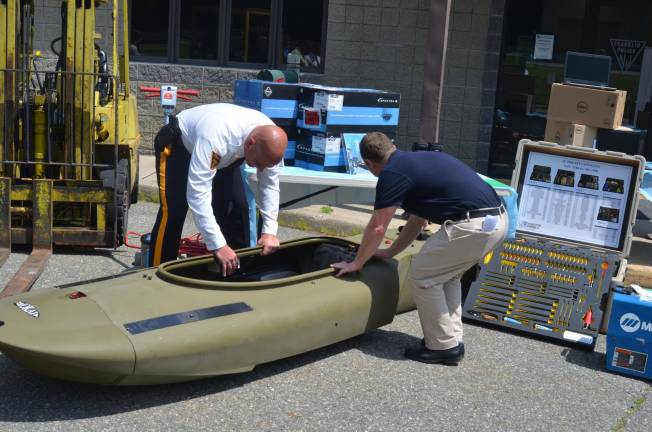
(494, 93)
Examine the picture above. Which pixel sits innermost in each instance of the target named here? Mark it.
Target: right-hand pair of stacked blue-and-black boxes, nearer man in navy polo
(324, 114)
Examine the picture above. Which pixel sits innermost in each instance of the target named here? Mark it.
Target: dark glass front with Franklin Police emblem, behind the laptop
(524, 82)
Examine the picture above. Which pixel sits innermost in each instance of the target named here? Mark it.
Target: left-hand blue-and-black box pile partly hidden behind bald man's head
(278, 101)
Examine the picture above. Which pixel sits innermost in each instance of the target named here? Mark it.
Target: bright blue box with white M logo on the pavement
(629, 337)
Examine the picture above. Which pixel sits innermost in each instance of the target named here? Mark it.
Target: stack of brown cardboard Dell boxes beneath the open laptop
(575, 113)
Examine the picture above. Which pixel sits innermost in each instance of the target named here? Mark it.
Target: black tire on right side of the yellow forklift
(120, 209)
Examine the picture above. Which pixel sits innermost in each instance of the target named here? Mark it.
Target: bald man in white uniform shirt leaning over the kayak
(198, 158)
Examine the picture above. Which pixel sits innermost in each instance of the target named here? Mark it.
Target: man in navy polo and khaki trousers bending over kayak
(435, 187)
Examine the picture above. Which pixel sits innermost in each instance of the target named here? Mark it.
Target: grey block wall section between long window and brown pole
(380, 44)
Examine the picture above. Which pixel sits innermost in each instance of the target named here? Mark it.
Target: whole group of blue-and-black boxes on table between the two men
(317, 117)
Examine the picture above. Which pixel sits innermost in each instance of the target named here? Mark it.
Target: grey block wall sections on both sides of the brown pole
(381, 44)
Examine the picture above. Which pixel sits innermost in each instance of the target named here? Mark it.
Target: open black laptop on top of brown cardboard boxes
(587, 69)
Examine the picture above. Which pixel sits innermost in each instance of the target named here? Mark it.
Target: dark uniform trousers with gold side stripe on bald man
(229, 200)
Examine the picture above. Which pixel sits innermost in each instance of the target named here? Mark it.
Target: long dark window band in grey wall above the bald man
(246, 33)
